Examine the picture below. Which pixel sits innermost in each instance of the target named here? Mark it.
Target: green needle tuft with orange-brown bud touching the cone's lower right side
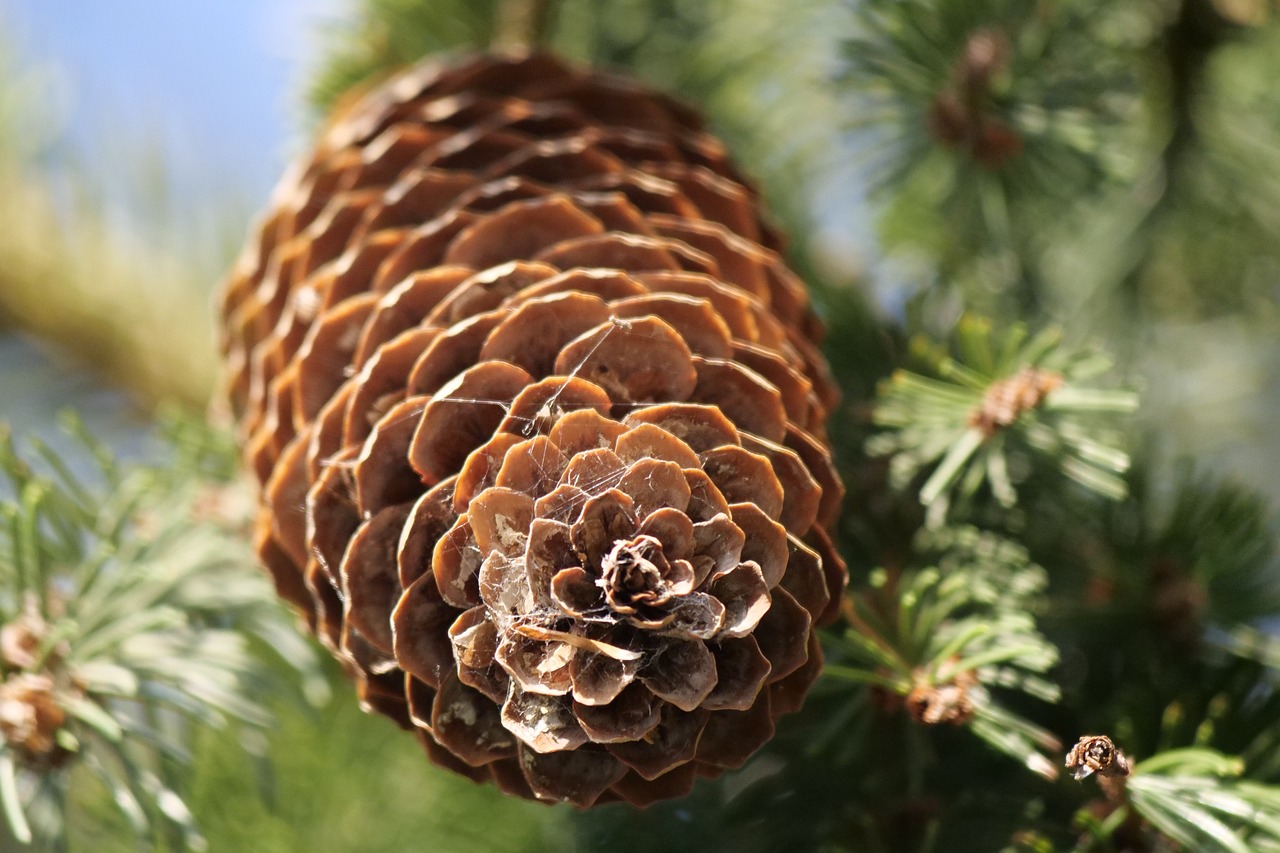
(941, 642)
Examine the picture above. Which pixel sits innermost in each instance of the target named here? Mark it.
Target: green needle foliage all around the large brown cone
(1058, 189)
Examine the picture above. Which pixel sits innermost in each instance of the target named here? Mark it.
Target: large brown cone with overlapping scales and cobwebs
(538, 414)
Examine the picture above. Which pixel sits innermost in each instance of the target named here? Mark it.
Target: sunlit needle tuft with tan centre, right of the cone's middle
(976, 416)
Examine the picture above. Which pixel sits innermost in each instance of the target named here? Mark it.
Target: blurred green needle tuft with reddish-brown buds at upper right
(982, 125)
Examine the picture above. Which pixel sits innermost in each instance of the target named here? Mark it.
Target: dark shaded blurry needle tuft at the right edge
(1188, 562)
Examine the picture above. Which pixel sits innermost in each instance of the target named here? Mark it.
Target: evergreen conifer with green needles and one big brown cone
(1058, 632)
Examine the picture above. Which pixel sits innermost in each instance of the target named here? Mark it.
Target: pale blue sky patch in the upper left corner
(218, 80)
